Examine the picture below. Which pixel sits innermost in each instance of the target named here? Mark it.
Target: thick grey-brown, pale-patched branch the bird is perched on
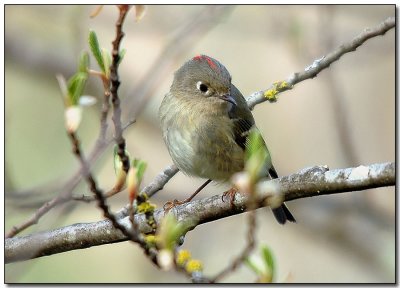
(315, 181)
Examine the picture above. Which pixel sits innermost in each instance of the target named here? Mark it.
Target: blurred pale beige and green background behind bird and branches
(342, 118)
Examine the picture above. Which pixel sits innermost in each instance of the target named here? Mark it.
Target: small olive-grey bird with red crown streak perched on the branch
(205, 122)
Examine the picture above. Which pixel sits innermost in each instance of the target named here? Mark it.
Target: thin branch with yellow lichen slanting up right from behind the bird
(320, 64)
